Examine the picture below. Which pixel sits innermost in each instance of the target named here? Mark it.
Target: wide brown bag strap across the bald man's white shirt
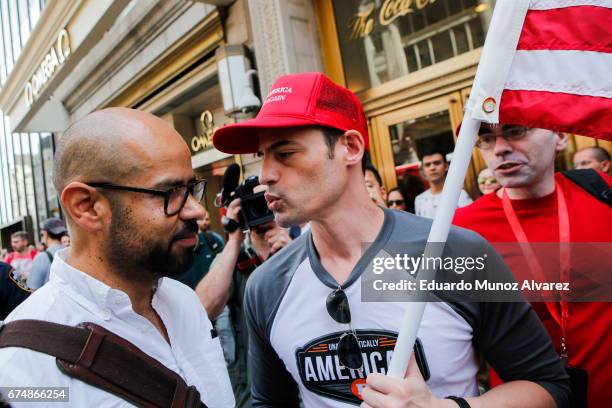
(101, 358)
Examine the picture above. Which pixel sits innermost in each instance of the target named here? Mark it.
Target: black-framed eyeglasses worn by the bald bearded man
(174, 198)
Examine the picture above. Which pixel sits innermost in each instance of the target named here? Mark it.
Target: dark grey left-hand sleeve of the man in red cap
(271, 383)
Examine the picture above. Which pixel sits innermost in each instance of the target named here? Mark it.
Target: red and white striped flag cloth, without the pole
(560, 74)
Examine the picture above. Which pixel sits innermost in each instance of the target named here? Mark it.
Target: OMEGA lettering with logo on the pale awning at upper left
(54, 59)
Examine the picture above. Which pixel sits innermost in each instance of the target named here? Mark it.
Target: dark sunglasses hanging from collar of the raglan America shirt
(349, 351)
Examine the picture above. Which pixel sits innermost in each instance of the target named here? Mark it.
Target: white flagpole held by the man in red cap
(493, 68)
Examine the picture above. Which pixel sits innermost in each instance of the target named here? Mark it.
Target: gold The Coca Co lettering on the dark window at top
(361, 24)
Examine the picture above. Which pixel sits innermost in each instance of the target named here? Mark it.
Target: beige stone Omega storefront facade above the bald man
(81, 56)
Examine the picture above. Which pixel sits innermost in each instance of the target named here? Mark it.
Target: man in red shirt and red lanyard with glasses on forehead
(535, 204)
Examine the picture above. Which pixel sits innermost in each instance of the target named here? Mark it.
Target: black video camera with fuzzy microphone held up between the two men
(253, 206)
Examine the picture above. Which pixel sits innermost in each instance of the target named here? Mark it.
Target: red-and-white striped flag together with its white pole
(545, 64)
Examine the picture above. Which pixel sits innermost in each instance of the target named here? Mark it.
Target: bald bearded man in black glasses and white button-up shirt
(132, 205)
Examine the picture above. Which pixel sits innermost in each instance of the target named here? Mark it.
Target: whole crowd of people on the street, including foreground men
(272, 316)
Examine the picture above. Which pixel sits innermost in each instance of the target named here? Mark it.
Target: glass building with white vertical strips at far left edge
(26, 158)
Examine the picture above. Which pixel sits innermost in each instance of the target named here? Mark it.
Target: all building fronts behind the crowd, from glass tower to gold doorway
(411, 62)
